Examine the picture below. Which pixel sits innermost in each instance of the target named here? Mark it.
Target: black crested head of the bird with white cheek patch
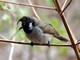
(27, 23)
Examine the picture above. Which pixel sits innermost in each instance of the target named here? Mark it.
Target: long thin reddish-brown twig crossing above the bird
(36, 6)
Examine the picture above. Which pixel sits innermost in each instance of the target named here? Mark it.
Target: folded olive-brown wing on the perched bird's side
(48, 28)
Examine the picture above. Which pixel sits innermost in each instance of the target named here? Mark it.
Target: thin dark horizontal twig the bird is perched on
(24, 43)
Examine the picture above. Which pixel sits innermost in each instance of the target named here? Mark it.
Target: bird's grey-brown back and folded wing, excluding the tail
(46, 27)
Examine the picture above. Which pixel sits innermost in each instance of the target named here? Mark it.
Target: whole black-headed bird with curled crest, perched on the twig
(38, 31)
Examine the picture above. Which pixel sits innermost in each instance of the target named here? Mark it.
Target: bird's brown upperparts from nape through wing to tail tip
(49, 29)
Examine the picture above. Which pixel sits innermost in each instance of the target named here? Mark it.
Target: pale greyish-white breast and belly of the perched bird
(37, 36)
